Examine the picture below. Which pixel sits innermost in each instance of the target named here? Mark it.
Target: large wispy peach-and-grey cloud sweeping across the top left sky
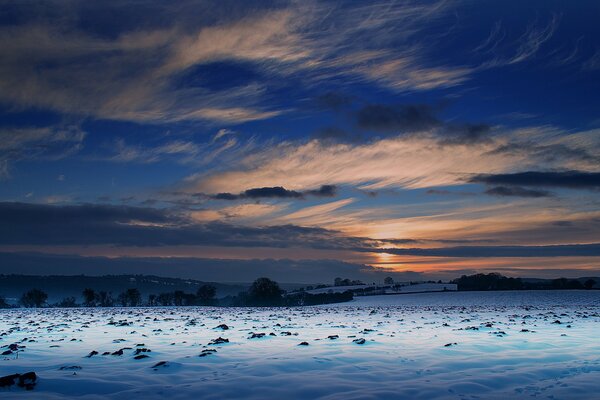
(142, 69)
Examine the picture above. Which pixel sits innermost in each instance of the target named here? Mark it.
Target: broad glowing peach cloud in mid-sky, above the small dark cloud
(404, 161)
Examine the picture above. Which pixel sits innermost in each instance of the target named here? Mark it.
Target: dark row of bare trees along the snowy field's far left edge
(263, 292)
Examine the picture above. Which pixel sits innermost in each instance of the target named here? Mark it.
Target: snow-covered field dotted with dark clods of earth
(493, 345)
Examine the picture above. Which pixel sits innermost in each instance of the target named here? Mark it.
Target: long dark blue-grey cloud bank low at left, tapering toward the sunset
(90, 224)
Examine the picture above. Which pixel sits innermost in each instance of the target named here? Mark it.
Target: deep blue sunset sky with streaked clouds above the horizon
(302, 140)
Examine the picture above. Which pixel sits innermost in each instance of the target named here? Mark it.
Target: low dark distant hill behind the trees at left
(59, 287)
